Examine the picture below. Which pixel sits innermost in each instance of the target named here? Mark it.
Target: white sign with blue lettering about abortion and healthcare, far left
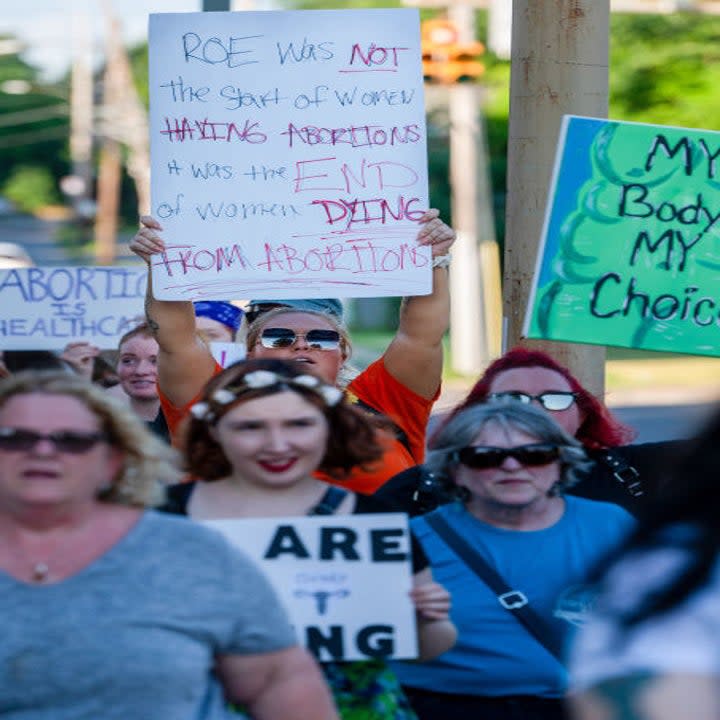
(44, 308)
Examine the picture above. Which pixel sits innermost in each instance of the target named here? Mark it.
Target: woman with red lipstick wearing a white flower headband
(256, 437)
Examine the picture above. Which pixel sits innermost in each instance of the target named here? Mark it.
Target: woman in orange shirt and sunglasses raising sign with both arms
(402, 384)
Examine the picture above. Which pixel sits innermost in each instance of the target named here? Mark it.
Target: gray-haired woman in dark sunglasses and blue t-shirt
(514, 553)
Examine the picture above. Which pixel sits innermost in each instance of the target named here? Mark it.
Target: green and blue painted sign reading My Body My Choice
(630, 253)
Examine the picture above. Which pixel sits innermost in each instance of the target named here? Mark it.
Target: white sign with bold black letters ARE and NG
(344, 579)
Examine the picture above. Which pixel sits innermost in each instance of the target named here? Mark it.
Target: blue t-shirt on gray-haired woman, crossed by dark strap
(495, 655)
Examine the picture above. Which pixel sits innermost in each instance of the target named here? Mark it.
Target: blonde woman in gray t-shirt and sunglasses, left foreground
(112, 611)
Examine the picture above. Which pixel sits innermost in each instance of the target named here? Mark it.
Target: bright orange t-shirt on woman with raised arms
(375, 387)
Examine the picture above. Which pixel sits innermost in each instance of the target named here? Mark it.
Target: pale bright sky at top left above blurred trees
(51, 28)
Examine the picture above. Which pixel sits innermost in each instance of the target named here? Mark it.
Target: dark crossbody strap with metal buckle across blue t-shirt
(514, 601)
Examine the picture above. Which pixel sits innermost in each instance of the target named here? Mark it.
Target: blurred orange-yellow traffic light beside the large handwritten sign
(445, 59)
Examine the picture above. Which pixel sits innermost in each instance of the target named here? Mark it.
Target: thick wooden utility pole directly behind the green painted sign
(560, 55)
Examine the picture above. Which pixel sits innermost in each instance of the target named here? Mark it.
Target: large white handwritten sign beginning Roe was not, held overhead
(288, 153)
